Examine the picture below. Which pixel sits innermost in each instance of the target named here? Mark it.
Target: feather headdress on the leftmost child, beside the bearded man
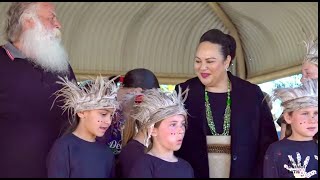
(98, 93)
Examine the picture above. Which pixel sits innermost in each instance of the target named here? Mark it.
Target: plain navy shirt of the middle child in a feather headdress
(149, 166)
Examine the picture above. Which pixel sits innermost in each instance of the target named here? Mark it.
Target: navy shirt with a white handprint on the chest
(291, 153)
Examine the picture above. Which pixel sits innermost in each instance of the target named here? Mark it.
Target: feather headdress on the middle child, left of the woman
(154, 105)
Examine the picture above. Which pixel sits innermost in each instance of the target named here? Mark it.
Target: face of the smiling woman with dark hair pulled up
(210, 65)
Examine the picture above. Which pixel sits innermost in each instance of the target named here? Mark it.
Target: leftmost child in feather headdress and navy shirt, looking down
(77, 154)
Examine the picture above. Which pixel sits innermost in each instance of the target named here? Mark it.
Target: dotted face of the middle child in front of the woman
(170, 133)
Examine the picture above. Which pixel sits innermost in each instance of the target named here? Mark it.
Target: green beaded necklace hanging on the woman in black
(226, 118)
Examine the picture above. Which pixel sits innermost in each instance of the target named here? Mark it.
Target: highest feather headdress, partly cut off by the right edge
(312, 52)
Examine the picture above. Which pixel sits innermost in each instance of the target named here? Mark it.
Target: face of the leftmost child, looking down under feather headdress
(96, 122)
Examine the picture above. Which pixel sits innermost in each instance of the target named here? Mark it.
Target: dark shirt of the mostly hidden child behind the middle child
(128, 156)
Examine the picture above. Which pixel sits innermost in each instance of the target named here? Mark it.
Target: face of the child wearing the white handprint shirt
(304, 123)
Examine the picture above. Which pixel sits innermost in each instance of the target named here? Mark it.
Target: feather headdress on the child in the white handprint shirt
(297, 98)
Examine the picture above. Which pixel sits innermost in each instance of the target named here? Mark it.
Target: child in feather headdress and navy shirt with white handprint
(297, 154)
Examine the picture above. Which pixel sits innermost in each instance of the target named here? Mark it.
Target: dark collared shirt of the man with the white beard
(29, 121)
